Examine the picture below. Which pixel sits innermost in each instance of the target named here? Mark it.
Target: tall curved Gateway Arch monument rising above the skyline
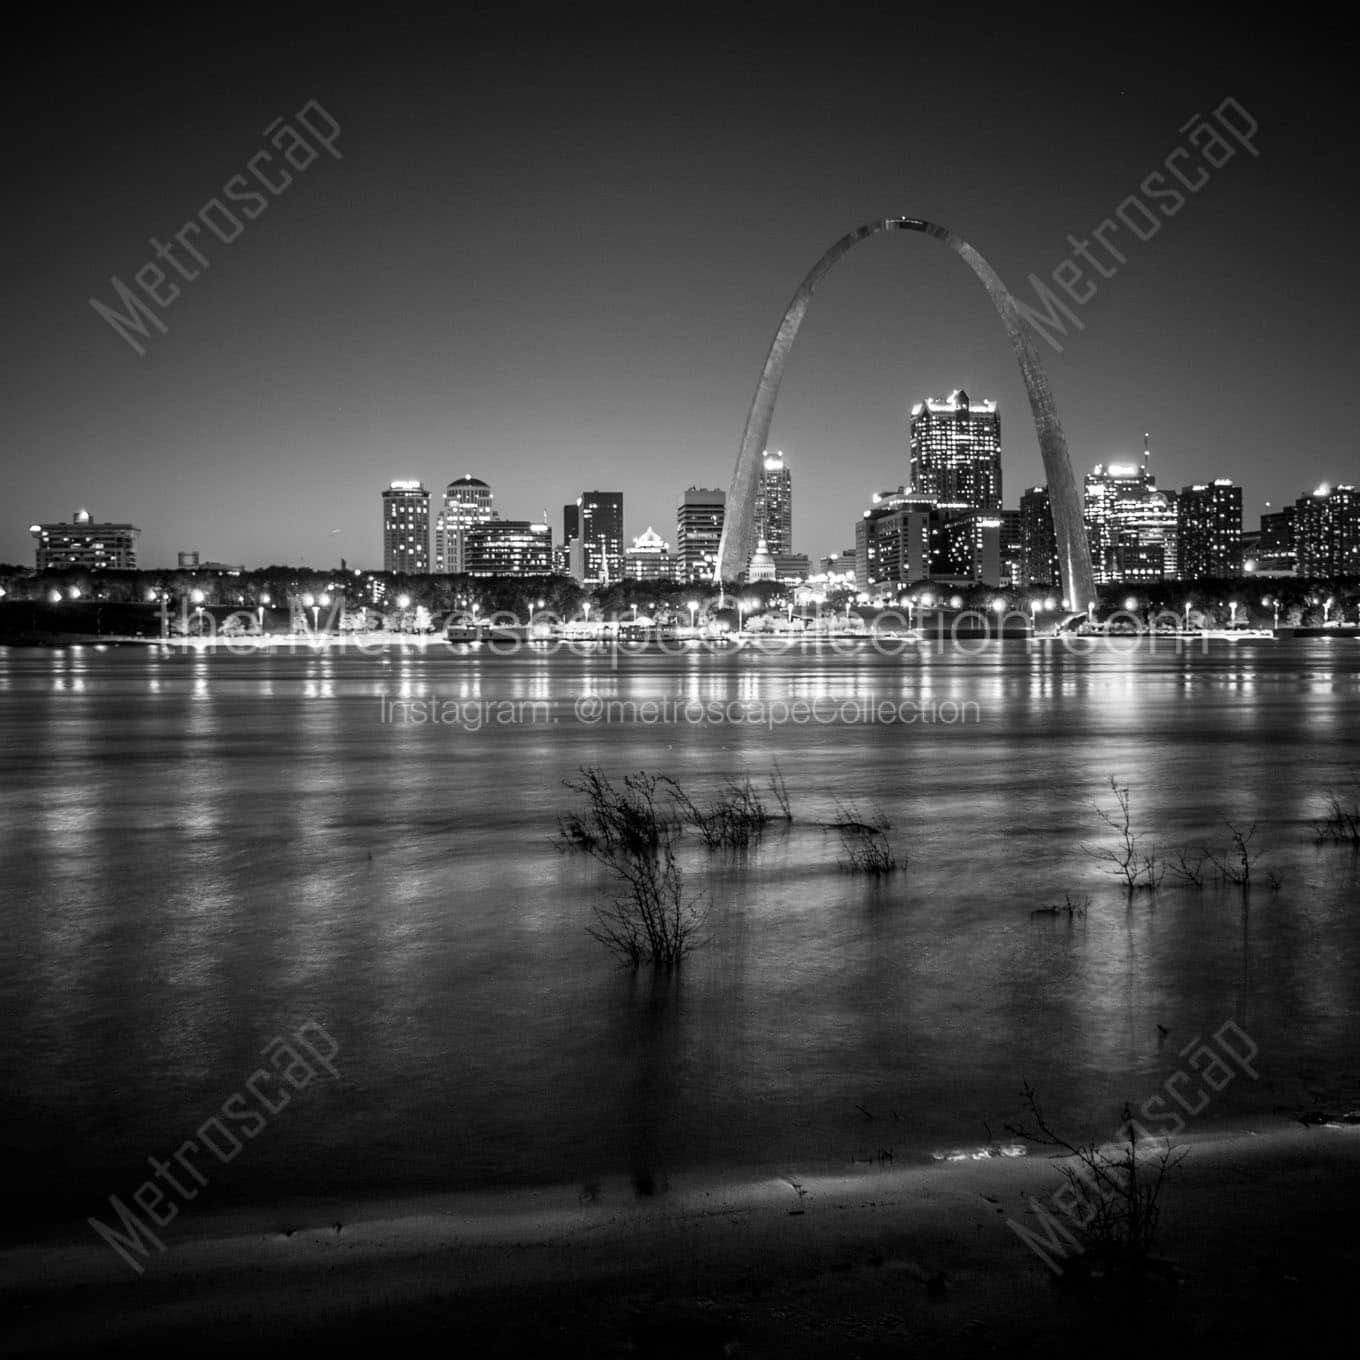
(1070, 531)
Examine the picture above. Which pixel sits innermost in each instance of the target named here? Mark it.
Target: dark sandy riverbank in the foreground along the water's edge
(1259, 1237)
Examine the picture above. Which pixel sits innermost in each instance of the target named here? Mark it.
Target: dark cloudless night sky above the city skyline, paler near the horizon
(554, 252)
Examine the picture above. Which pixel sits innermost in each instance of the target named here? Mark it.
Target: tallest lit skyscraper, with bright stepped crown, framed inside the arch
(957, 452)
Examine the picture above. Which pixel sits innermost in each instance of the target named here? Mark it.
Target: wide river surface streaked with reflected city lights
(203, 852)
